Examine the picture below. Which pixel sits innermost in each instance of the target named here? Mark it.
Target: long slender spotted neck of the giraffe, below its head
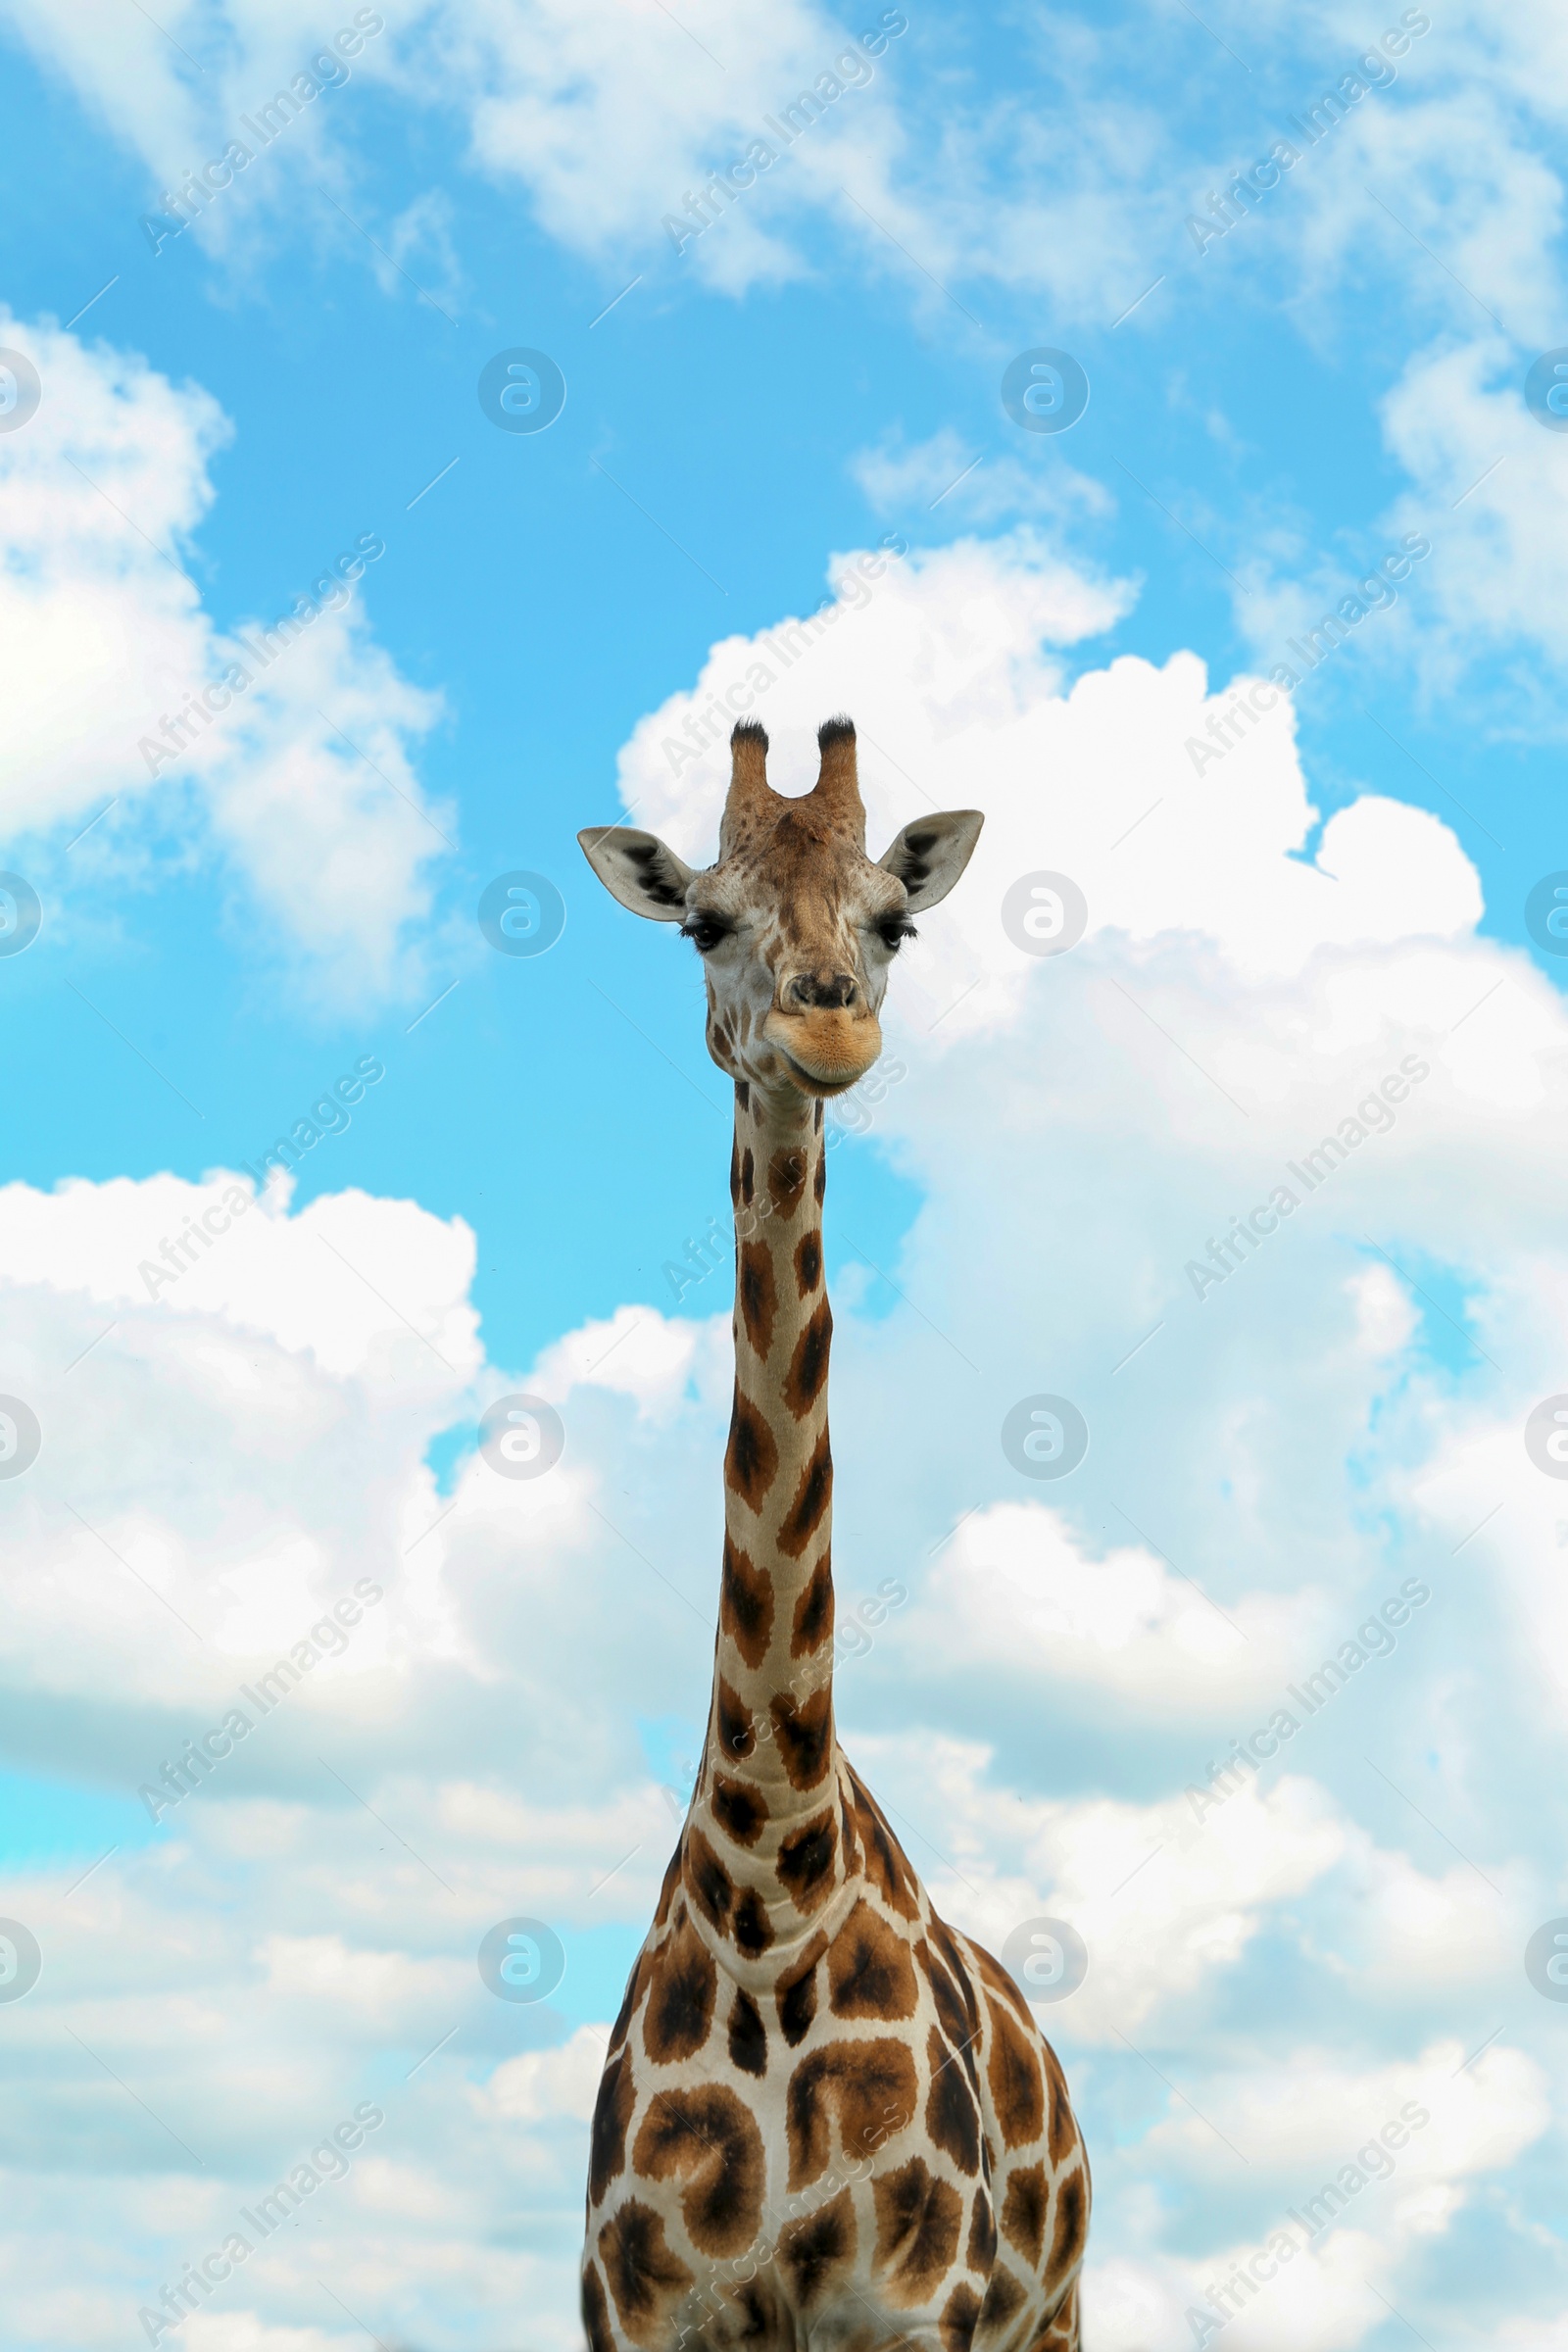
(763, 1824)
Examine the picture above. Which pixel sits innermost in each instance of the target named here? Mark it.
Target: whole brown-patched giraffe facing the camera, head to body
(826, 2120)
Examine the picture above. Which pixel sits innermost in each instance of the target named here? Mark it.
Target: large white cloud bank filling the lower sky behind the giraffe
(248, 1445)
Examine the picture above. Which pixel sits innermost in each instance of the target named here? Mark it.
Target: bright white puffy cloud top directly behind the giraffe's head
(949, 664)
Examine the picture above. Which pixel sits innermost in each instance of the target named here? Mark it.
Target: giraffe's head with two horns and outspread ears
(796, 923)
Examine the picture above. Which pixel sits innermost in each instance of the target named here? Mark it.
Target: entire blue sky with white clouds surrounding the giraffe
(1273, 413)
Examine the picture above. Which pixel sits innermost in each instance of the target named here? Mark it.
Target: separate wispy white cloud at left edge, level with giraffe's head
(297, 768)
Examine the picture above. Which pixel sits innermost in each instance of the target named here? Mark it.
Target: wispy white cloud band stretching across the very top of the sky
(612, 114)
